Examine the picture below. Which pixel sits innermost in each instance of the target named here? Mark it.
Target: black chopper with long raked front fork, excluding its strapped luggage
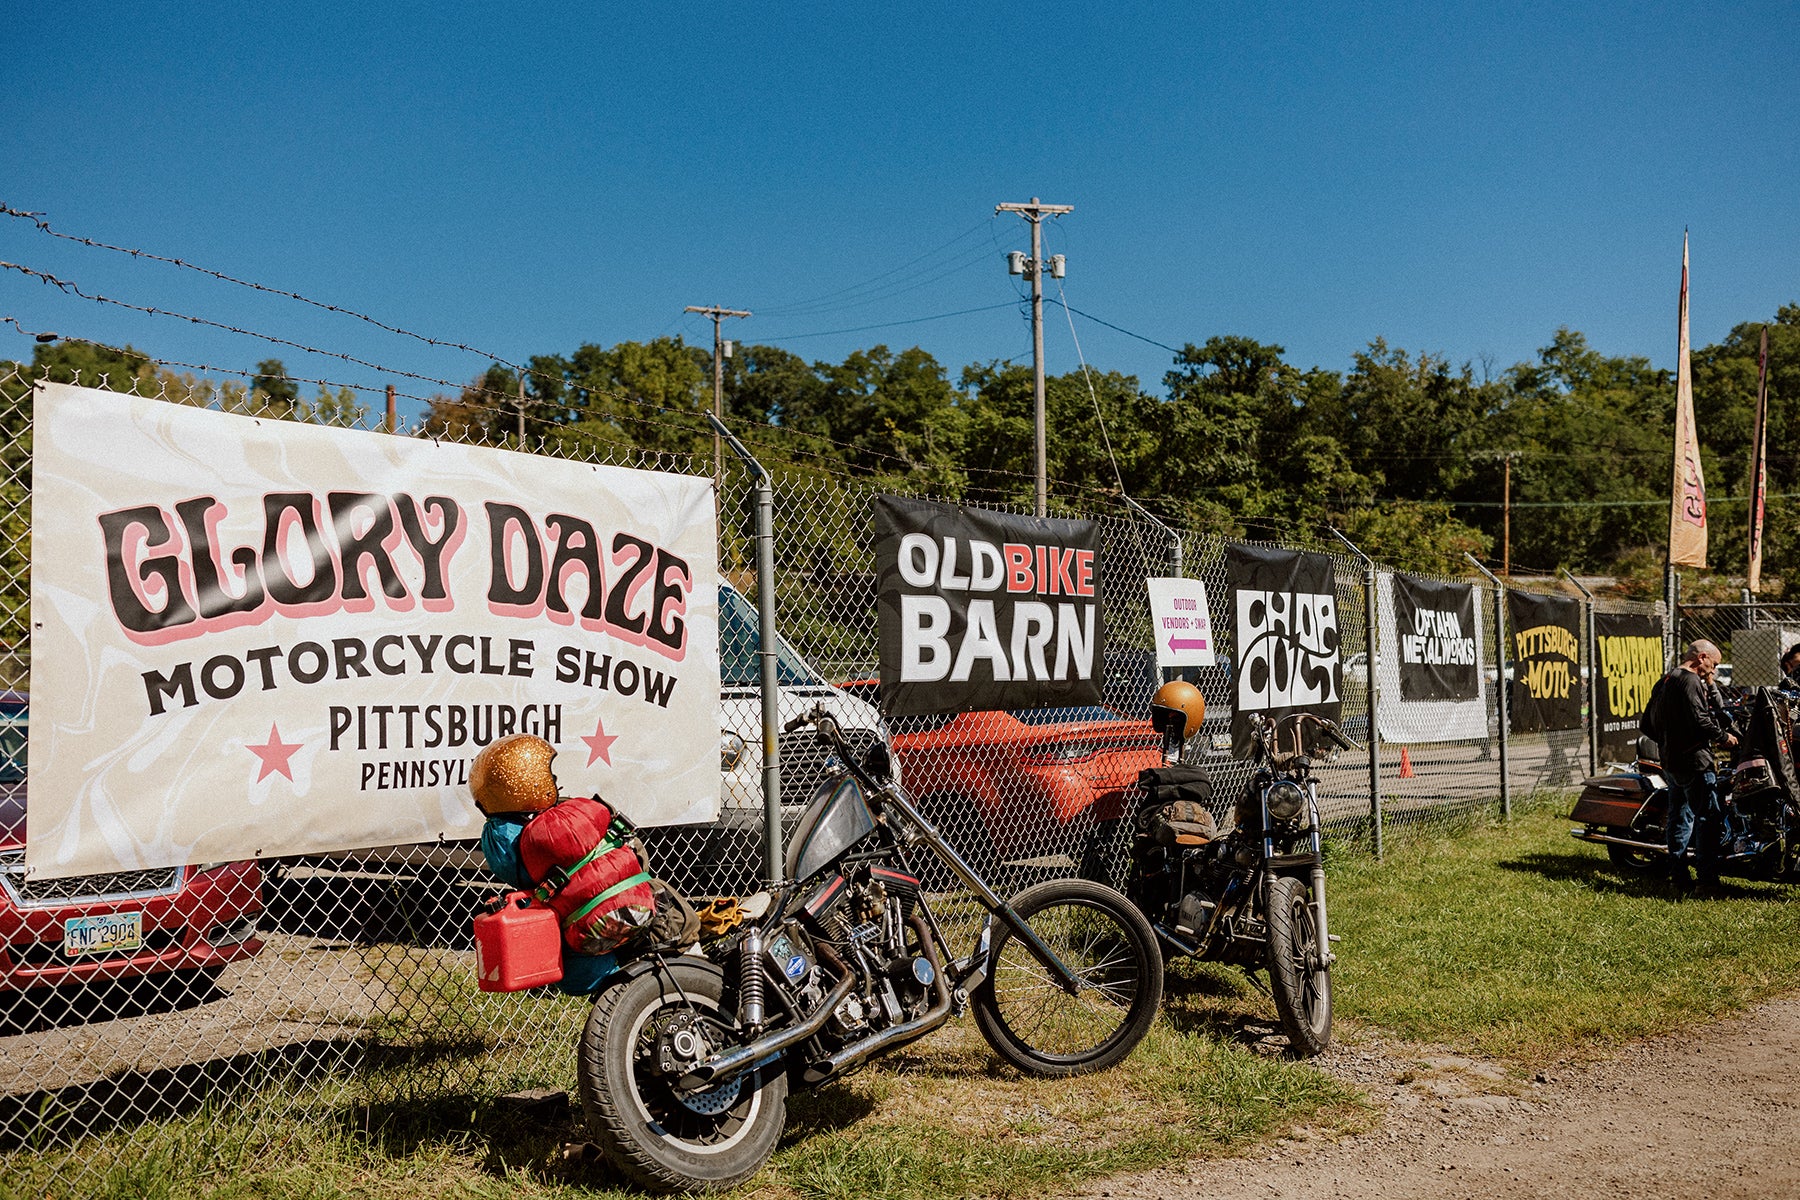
(687, 1062)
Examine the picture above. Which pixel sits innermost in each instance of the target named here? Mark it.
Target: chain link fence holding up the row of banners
(337, 992)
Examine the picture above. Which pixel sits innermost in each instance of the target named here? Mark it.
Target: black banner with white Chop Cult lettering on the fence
(1286, 636)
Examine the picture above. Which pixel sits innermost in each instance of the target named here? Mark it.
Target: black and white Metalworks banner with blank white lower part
(1435, 638)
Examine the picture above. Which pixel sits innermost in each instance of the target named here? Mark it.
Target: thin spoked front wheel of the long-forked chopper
(1032, 1021)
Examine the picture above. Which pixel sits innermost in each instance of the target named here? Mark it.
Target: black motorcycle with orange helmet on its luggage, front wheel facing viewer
(1255, 895)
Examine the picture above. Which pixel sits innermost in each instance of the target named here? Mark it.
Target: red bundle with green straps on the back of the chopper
(589, 872)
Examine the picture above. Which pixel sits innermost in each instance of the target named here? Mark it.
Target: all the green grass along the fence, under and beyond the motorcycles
(1504, 942)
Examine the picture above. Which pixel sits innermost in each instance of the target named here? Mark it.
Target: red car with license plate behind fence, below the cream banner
(109, 927)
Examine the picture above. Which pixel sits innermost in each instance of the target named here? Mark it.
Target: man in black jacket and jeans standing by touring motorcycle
(1686, 726)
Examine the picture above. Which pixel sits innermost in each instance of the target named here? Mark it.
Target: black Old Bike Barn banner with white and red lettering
(985, 611)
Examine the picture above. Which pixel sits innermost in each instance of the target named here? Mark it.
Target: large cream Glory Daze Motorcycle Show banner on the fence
(264, 638)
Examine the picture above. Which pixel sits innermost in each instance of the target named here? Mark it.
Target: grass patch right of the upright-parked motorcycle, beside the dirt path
(1522, 944)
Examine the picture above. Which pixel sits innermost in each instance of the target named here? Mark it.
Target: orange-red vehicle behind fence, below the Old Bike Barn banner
(1009, 787)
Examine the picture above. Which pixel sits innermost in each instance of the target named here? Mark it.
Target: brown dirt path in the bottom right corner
(1713, 1113)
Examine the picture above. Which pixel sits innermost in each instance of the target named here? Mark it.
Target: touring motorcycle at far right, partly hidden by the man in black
(1628, 809)
